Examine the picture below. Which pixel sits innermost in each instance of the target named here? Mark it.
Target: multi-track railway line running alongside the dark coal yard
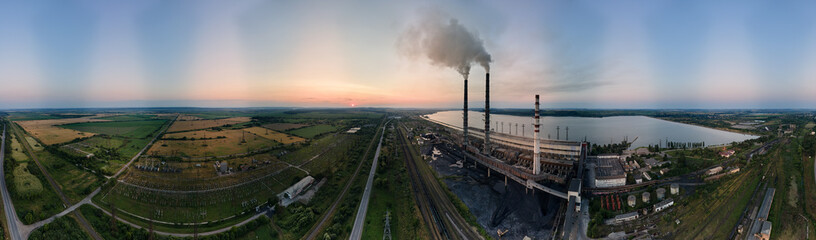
(439, 213)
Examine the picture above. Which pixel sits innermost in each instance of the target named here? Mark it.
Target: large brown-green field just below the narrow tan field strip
(216, 143)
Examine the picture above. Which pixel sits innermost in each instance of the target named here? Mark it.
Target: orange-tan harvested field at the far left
(48, 132)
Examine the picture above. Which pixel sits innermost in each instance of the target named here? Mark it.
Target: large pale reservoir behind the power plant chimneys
(604, 130)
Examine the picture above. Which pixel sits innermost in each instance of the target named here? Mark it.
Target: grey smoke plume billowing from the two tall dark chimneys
(446, 43)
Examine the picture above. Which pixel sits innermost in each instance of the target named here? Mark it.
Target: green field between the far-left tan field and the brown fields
(131, 129)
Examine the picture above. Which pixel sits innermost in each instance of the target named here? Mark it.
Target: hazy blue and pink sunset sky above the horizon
(256, 53)
